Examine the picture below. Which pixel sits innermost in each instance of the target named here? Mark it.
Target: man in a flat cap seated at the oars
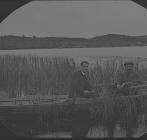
(127, 79)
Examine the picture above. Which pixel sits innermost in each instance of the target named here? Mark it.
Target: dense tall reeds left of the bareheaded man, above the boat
(33, 75)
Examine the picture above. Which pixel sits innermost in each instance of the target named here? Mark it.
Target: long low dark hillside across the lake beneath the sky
(110, 40)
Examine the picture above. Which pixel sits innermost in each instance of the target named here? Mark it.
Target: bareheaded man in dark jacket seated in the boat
(80, 86)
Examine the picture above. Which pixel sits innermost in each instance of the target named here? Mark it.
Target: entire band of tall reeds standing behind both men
(22, 75)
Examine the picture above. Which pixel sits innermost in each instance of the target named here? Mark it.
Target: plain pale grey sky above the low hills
(76, 19)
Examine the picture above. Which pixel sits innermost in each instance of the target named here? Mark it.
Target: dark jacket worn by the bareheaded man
(79, 83)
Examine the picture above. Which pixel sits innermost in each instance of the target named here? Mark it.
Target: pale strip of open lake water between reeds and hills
(113, 51)
